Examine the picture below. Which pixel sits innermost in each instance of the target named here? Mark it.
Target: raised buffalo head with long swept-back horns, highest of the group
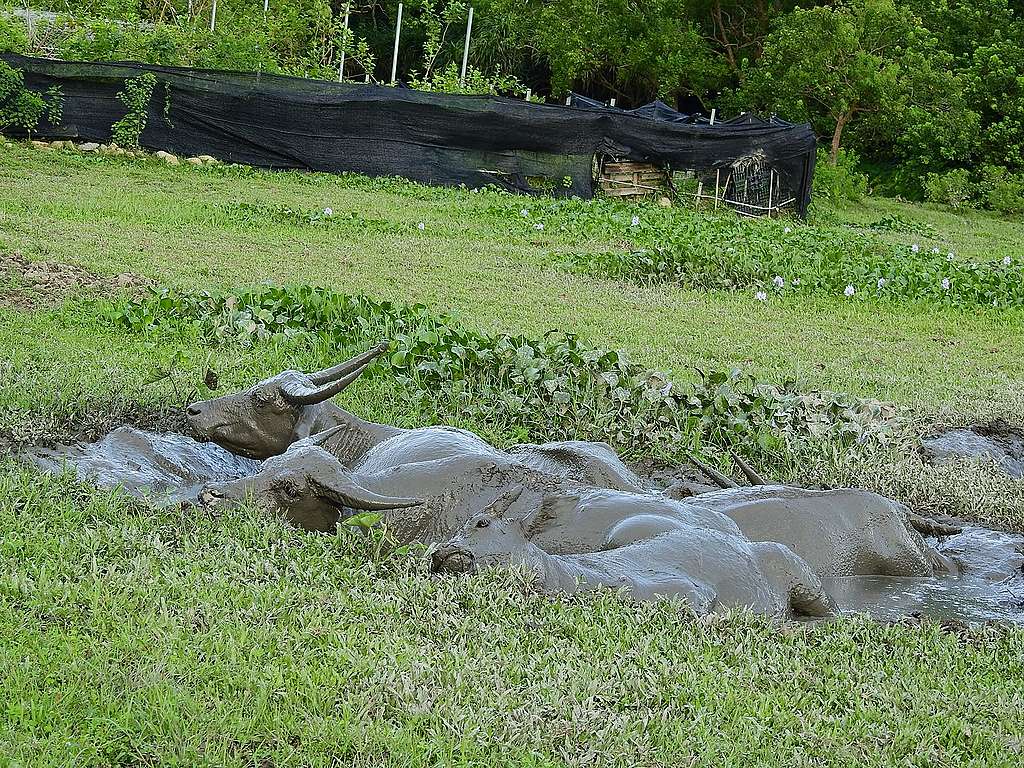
(262, 421)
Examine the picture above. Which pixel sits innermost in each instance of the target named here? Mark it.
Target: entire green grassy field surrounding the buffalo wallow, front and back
(131, 636)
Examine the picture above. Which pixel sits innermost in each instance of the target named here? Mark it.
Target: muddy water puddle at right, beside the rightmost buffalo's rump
(991, 586)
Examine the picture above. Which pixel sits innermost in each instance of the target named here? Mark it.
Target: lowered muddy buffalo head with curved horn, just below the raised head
(307, 484)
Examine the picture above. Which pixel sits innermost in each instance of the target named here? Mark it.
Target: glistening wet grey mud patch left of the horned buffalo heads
(165, 468)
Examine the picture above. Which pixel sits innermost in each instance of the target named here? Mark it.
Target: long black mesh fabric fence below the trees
(275, 121)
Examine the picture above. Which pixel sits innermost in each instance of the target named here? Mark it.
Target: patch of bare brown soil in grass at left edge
(34, 285)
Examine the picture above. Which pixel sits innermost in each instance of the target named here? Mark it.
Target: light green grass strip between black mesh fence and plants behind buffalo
(491, 269)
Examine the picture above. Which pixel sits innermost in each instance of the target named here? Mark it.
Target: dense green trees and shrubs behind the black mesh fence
(918, 89)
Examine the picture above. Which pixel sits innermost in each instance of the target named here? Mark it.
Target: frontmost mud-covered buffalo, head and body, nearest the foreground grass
(710, 570)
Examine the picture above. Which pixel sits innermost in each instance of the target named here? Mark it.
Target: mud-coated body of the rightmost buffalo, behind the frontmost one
(841, 533)
